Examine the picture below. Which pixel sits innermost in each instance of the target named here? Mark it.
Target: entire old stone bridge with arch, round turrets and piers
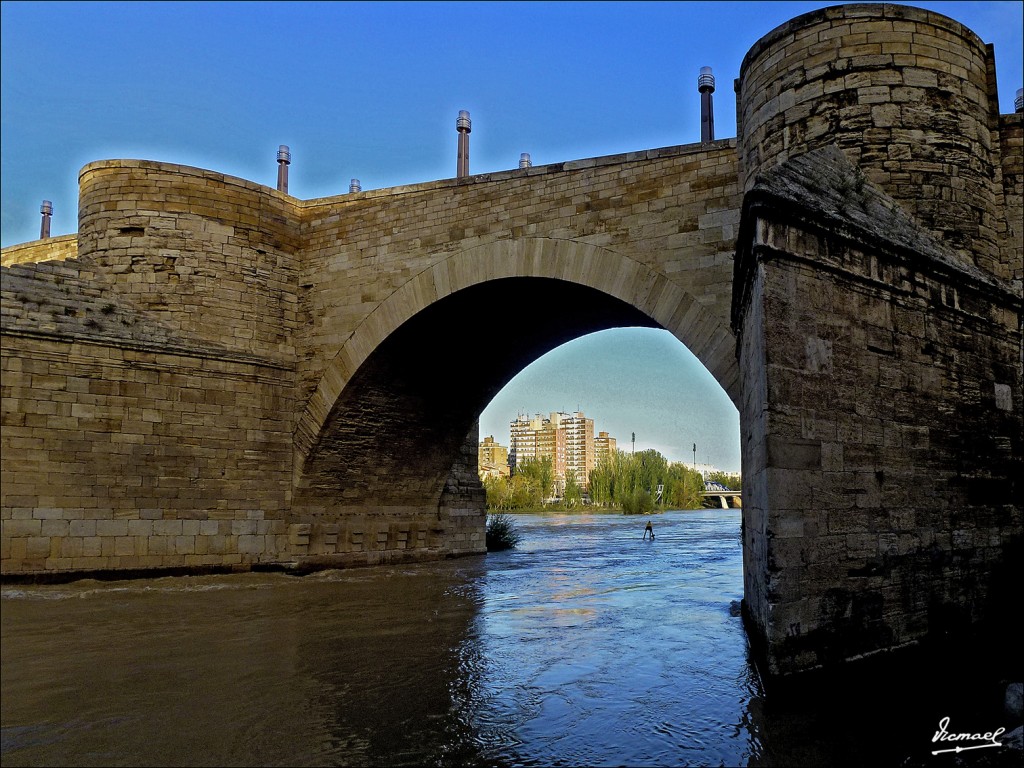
(214, 375)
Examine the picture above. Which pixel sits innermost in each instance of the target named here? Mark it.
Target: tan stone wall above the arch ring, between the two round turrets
(674, 209)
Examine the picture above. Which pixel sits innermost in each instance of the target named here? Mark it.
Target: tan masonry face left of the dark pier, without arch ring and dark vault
(188, 287)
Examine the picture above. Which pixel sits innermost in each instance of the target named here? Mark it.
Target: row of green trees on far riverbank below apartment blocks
(634, 483)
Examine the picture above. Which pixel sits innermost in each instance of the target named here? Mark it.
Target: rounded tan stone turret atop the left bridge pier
(211, 257)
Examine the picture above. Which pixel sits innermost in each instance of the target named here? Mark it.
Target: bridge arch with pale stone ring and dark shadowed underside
(395, 407)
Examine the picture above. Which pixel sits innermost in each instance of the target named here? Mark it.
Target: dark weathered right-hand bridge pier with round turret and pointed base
(879, 336)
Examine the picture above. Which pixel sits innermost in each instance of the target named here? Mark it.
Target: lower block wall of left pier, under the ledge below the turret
(122, 458)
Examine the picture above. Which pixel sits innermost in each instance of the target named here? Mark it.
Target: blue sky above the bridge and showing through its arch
(371, 92)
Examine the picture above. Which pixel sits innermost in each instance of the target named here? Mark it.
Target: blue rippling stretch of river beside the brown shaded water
(603, 648)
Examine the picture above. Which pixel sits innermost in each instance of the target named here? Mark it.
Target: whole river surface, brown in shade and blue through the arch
(586, 646)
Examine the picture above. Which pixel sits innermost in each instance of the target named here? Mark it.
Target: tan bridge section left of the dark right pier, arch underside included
(179, 386)
